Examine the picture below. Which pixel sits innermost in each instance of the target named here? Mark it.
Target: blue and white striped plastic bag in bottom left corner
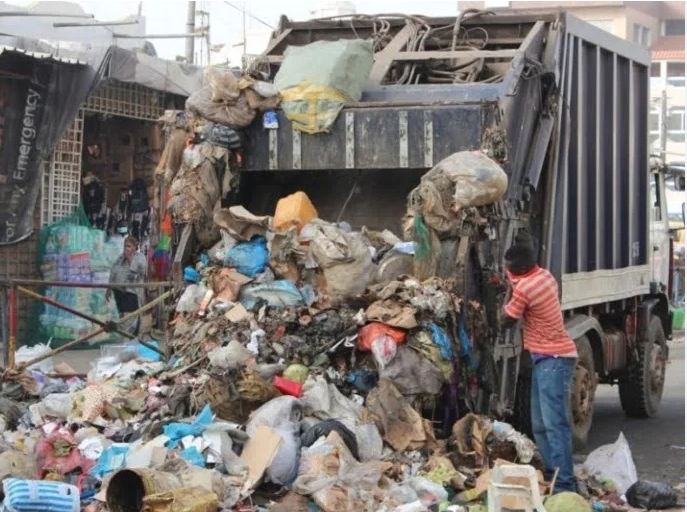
(38, 496)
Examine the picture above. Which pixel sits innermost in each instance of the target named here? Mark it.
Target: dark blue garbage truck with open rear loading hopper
(563, 107)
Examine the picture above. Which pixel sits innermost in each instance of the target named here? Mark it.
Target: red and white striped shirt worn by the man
(535, 301)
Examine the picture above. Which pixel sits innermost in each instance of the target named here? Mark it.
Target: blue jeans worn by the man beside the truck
(551, 385)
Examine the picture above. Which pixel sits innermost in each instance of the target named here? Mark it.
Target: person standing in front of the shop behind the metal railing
(130, 267)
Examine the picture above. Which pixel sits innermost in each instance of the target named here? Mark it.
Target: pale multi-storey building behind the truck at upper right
(660, 26)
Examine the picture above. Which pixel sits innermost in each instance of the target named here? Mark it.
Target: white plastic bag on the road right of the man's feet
(613, 462)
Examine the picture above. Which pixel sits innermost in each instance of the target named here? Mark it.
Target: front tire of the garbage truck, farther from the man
(641, 389)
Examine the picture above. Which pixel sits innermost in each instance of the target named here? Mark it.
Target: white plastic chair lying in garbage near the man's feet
(498, 488)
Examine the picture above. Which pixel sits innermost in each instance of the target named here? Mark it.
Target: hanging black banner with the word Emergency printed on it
(39, 96)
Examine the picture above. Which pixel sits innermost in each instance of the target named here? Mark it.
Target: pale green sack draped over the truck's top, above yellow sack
(343, 65)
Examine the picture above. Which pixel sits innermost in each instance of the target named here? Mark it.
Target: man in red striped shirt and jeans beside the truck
(534, 300)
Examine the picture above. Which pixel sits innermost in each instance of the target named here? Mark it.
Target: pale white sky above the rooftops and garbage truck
(226, 22)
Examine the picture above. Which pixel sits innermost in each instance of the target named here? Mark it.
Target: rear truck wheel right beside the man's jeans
(582, 393)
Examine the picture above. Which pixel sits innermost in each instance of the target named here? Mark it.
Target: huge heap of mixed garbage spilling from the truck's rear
(299, 377)
